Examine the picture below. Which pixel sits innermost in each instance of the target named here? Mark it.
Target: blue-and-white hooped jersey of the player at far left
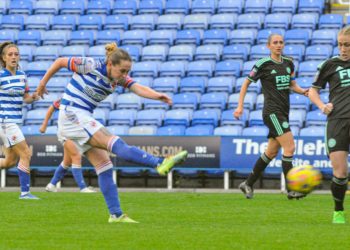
(12, 90)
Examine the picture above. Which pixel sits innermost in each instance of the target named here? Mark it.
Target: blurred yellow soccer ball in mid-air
(303, 179)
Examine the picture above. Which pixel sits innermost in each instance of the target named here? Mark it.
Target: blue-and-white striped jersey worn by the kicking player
(89, 84)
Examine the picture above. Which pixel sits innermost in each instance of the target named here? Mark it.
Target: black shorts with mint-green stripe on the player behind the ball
(278, 124)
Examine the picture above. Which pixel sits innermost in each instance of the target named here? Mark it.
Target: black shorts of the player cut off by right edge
(337, 135)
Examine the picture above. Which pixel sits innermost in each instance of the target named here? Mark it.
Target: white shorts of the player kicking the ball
(76, 125)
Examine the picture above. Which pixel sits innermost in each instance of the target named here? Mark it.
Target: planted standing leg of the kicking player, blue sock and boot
(100, 160)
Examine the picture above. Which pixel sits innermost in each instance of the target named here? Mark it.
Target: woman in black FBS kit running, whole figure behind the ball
(276, 73)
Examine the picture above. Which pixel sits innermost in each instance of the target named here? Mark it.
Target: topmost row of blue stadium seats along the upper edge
(160, 6)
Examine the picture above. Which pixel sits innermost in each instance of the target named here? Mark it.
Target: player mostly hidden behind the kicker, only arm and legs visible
(71, 157)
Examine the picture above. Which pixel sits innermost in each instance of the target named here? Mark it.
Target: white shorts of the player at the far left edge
(11, 134)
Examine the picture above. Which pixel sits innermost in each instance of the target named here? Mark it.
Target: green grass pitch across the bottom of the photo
(171, 221)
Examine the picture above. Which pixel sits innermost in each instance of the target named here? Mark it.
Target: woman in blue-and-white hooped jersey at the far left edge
(13, 92)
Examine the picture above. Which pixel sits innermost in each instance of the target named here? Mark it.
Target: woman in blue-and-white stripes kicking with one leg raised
(91, 83)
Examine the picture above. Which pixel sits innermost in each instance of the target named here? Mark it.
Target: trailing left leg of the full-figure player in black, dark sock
(259, 167)
